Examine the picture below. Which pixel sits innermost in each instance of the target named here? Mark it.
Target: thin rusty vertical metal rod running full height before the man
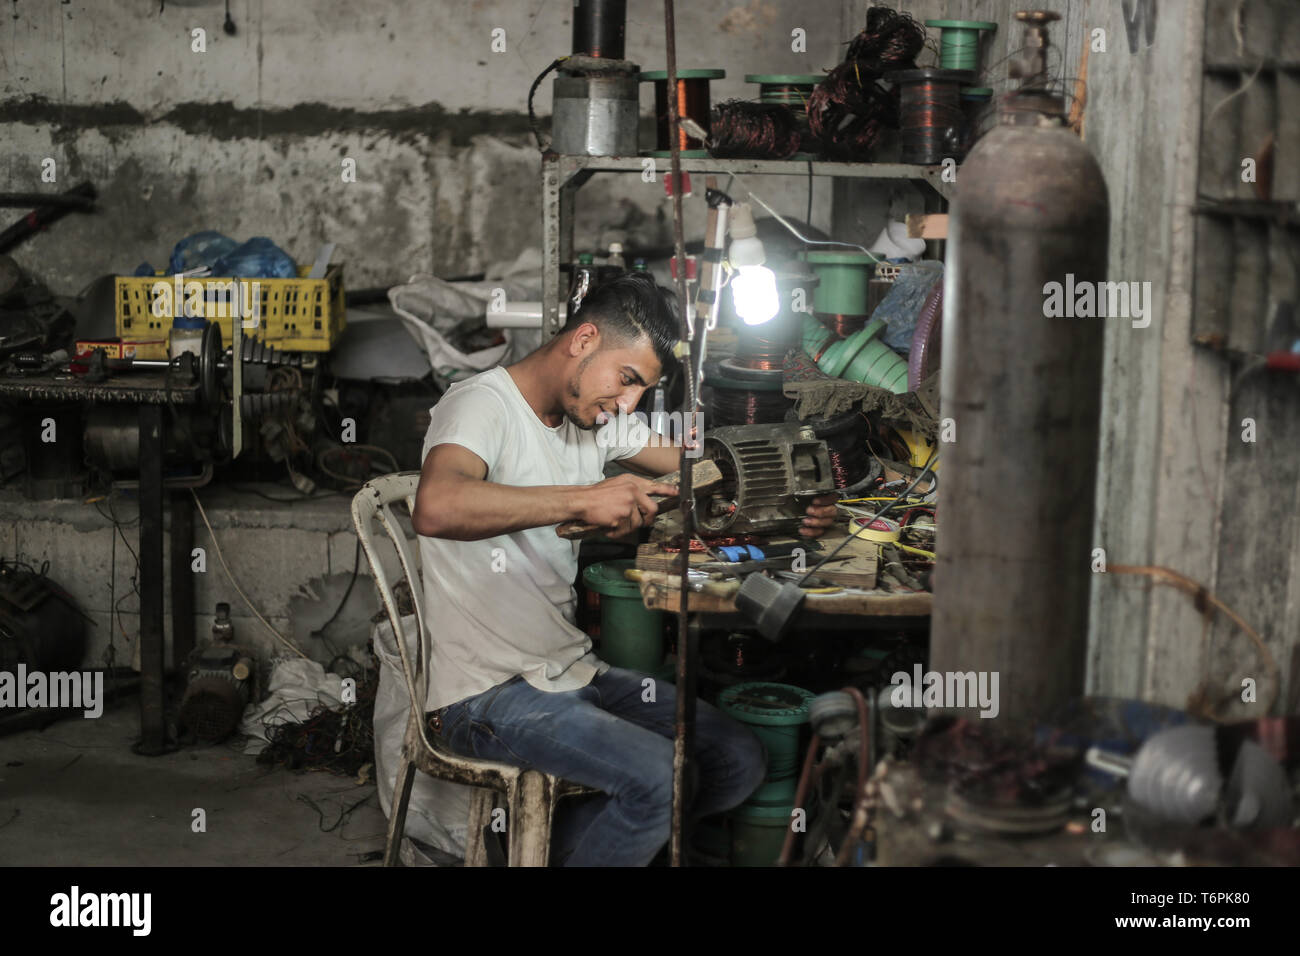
(686, 712)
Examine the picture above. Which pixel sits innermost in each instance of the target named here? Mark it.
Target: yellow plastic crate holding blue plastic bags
(296, 314)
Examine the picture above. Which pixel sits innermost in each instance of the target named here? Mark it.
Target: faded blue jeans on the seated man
(608, 737)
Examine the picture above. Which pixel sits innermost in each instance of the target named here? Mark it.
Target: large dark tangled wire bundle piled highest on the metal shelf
(851, 107)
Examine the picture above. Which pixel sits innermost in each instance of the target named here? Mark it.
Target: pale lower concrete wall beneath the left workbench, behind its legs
(293, 561)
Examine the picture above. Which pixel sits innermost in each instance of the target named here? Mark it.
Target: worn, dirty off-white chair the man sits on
(531, 795)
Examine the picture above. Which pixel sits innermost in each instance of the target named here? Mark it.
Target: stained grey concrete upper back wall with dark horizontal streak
(249, 137)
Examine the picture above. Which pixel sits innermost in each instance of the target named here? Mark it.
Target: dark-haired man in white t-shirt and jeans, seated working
(510, 455)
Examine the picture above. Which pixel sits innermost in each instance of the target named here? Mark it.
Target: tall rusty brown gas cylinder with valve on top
(1021, 392)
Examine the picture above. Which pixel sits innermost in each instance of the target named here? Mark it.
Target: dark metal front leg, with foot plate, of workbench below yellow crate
(153, 729)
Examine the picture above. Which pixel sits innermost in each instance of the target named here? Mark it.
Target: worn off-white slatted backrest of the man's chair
(376, 500)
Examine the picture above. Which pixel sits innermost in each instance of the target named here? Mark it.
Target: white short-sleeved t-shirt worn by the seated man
(505, 605)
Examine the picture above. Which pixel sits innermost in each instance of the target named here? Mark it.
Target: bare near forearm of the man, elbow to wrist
(471, 511)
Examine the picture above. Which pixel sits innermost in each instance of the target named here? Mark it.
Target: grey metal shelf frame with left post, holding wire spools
(564, 176)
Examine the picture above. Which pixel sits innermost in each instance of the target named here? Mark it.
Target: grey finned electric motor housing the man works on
(770, 475)
